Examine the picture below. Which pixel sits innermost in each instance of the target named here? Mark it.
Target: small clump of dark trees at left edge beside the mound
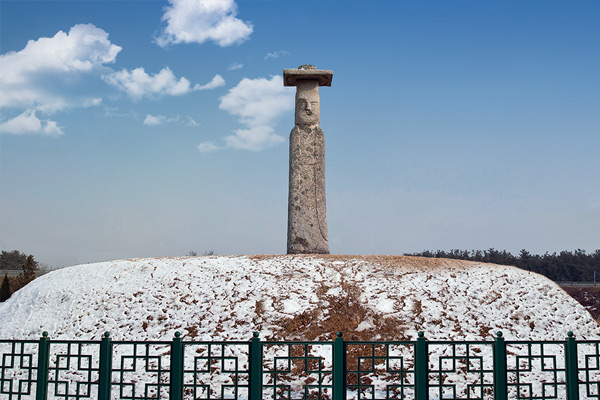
(15, 260)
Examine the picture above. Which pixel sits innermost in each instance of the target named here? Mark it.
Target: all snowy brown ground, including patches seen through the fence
(303, 298)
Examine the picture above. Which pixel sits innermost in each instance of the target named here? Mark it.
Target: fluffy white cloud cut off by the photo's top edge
(198, 21)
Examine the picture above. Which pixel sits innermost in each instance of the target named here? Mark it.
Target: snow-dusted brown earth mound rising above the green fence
(294, 297)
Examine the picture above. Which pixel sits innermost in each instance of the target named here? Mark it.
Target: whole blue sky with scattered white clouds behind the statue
(152, 128)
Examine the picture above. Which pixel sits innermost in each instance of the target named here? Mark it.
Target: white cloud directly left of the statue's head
(257, 103)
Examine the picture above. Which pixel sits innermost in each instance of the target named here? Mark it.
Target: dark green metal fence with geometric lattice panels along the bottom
(330, 370)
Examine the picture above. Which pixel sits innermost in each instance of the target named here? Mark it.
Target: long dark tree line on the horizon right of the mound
(576, 266)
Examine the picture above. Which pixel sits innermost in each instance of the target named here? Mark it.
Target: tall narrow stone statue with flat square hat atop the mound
(307, 217)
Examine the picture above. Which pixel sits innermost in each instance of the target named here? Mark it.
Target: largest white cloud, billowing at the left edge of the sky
(29, 77)
